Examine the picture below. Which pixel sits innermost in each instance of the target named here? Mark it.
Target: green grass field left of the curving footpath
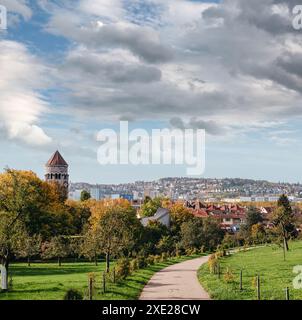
(48, 281)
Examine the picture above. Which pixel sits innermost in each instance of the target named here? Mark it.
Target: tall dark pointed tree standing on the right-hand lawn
(282, 218)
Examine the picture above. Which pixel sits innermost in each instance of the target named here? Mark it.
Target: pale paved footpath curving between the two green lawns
(176, 282)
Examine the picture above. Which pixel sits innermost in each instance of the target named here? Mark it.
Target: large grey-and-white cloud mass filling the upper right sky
(225, 64)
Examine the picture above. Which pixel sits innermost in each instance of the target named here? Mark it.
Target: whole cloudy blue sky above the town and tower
(69, 68)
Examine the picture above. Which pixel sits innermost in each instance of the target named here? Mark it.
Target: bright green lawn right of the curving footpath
(275, 274)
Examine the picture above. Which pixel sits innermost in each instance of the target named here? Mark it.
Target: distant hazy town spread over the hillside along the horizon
(208, 190)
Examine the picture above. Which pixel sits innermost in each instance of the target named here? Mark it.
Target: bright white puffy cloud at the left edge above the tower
(21, 105)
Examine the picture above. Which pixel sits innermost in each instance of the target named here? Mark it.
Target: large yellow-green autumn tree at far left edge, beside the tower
(23, 196)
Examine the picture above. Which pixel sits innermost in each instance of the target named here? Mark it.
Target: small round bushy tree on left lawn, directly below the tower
(57, 247)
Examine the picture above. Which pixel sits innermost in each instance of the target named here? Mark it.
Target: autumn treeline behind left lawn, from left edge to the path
(38, 222)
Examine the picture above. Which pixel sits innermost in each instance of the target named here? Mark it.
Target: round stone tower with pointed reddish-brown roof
(57, 170)
